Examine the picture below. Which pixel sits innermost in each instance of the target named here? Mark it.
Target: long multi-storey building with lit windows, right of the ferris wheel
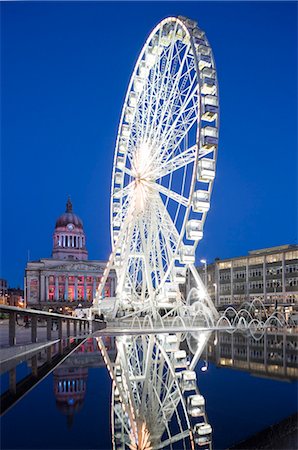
(270, 275)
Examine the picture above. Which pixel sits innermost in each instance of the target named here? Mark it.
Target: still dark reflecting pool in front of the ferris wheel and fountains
(180, 391)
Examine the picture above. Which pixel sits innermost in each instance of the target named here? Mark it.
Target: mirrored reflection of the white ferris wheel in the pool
(156, 402)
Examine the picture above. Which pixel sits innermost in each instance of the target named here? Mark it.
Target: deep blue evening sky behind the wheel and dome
(65, 70)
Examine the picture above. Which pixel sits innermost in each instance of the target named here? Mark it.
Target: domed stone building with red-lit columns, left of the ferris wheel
(68, 279)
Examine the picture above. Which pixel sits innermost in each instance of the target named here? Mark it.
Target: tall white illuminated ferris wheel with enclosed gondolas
(164, 164)
